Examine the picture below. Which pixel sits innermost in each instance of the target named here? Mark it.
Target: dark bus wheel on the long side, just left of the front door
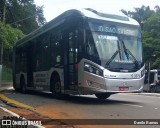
(55, 85)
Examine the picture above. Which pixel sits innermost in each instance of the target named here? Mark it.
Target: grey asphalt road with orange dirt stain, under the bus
(118, 106)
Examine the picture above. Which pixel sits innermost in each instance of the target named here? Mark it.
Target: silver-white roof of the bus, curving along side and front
(118, 17)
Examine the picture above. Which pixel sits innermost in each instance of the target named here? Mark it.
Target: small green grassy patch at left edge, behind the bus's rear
(6, 74)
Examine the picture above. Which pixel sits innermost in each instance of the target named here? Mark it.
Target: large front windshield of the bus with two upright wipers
(117, 44)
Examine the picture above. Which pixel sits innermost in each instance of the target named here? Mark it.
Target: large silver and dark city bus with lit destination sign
(81, 52)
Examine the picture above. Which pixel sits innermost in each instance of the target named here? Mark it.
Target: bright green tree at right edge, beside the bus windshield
(151, 39)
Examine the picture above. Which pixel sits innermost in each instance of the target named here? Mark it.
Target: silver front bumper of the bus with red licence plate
(102, 85)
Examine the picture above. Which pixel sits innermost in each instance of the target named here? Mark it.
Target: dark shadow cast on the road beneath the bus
(86, 100)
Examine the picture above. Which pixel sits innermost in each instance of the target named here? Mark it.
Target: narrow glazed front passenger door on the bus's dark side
(72, 67)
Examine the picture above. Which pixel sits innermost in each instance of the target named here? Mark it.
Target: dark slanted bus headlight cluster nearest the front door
(92, 69)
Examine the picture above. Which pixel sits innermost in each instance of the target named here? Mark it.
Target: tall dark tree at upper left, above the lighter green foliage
(23, 14)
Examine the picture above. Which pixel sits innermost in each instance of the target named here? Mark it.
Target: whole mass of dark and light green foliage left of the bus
(21, 16)
